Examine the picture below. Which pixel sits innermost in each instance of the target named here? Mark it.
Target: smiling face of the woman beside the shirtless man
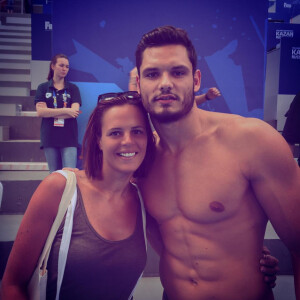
(124, 139)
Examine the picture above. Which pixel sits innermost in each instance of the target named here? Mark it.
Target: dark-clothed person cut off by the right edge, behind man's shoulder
(291, 130)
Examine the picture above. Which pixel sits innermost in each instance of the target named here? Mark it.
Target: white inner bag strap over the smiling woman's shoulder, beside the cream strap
(66, 237)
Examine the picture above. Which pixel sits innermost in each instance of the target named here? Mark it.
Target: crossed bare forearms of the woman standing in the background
(62, 113)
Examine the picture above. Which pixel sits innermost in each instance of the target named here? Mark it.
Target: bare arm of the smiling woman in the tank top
(31, 237)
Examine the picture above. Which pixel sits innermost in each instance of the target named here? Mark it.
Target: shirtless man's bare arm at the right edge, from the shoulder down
(275, 179)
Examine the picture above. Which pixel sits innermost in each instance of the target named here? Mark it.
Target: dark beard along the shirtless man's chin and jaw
(169, 117)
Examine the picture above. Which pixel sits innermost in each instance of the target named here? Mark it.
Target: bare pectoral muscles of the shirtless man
(201, 189)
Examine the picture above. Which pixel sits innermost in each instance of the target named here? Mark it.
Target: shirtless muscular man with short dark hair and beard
(216, 180)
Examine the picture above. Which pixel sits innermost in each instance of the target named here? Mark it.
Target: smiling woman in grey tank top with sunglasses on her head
(107, 249)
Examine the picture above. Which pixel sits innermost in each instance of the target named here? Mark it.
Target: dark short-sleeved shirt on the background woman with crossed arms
(51, 136)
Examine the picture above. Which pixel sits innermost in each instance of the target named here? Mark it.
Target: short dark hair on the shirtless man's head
(162, 36)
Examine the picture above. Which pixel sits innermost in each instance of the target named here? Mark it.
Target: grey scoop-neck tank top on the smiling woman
(97, 268)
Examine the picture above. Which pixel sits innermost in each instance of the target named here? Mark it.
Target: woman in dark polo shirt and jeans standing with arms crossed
(57, 102)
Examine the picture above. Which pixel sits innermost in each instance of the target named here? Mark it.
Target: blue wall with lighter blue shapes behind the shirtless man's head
(100, 40)
